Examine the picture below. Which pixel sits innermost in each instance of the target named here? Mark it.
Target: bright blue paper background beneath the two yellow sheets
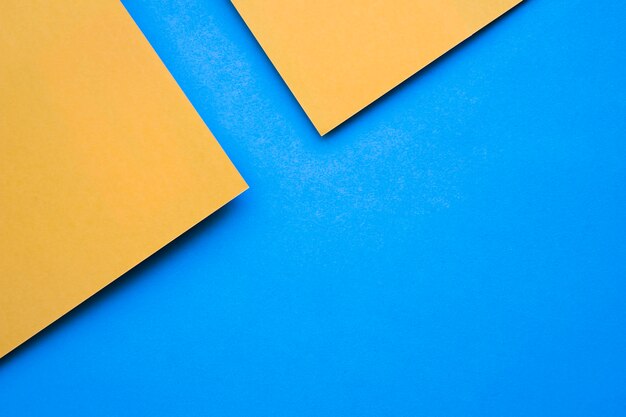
(457, 249)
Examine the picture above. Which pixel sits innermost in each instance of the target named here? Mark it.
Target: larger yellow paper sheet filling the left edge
(103, 160)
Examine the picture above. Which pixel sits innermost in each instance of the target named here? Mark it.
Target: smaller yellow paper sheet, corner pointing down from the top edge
(338, 56)
